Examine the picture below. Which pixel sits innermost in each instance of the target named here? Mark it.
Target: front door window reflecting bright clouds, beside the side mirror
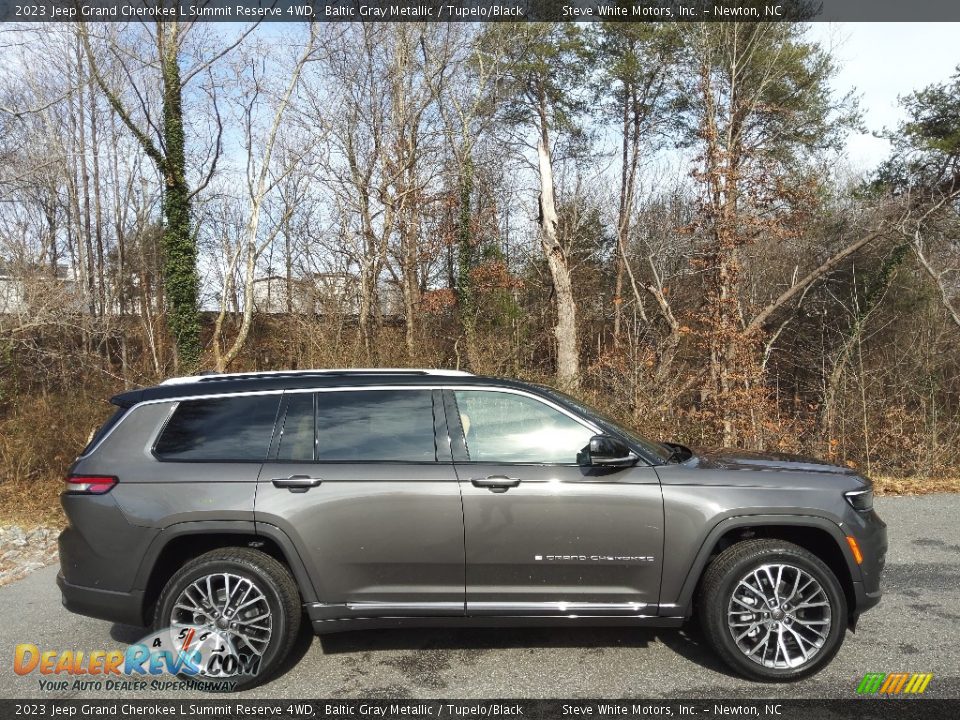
(503, 427)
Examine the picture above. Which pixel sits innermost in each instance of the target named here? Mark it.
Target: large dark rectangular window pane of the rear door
(375, 425)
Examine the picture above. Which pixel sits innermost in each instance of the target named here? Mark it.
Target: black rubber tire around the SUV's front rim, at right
(714, 599)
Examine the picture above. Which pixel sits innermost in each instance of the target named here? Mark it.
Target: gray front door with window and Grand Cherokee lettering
(545, 536)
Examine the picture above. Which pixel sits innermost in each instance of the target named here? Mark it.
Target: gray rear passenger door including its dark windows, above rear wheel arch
(362, 482)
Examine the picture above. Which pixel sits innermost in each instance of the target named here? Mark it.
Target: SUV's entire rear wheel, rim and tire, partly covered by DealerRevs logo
(238, 607)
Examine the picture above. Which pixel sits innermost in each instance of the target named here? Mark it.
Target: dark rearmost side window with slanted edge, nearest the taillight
(228, 429)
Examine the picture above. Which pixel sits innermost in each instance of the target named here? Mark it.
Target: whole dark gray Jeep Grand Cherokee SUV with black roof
(246, 504)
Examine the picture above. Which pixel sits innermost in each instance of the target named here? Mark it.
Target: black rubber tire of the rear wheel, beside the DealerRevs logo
(269, 576)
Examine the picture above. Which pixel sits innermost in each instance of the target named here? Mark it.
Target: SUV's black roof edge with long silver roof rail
(215, 384)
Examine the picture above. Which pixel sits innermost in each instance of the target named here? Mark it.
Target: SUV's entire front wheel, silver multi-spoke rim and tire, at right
(772, 610)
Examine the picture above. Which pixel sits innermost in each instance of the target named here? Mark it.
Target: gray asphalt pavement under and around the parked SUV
(916, 628)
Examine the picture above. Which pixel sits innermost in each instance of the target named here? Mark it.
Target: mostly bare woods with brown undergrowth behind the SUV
(656, 218)
